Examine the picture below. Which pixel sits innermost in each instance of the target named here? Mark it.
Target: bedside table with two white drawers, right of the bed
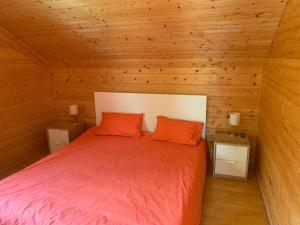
(231, 156)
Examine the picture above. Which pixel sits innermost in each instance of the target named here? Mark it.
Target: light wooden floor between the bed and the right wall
(229, 202)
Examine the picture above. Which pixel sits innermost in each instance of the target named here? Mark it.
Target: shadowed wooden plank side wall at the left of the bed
(26, 106)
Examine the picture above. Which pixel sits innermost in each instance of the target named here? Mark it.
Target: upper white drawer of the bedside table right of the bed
(232, 152)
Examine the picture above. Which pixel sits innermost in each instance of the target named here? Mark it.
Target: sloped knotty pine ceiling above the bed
(153, 29)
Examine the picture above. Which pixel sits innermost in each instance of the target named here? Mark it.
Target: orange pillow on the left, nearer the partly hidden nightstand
(122, 124)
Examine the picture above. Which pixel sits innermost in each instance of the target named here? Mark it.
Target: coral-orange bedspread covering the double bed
(109, 180)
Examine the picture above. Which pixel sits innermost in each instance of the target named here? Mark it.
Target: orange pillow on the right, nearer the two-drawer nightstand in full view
(177, 131)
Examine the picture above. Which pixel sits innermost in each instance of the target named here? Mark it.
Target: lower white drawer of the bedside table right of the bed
(230, 168)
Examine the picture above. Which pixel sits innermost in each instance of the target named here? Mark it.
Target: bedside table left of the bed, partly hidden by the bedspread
(62, 133)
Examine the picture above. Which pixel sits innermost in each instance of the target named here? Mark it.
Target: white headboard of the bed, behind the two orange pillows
(186, 107)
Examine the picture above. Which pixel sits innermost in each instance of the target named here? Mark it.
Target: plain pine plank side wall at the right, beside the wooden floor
(279, 136)
